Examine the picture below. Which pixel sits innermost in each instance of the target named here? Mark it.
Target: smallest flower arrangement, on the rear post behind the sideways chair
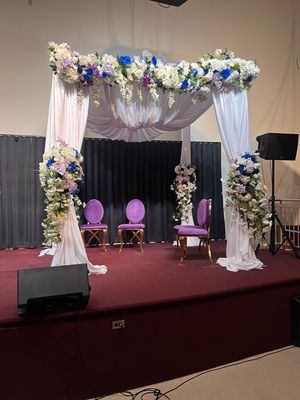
(184, 185)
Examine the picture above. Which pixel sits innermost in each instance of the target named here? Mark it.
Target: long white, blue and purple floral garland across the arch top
(221, 70)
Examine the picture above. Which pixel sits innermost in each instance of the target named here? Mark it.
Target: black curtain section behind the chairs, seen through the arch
(117, 172)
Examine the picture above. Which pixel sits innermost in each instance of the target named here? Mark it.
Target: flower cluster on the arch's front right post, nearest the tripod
(246, 193)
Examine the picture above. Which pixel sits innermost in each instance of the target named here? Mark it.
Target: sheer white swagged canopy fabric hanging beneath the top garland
(142, 118)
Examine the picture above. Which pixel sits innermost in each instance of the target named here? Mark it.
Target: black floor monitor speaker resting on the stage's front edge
(53, 289)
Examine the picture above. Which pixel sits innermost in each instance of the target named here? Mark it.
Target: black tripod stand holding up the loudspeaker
(274, 217)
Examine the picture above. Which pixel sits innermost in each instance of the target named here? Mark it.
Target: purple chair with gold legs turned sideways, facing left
(201, 230)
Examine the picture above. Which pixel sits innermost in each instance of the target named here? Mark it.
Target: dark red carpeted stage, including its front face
(179, 319)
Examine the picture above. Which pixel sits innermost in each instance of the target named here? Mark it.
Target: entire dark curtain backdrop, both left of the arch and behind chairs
(115, 172)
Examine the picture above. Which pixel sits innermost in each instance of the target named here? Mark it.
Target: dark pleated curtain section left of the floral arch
(21, 197)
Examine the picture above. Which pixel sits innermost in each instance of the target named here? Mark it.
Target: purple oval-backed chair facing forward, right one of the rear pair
(135, 212)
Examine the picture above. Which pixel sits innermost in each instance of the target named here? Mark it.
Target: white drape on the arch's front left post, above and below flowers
(66, 121)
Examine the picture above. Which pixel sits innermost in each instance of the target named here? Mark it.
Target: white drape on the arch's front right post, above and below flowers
(231, 108)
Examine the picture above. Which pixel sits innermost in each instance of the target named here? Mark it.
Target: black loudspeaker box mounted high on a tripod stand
(278, 146)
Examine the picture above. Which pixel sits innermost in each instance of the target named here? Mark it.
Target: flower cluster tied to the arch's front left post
(60, 173)
